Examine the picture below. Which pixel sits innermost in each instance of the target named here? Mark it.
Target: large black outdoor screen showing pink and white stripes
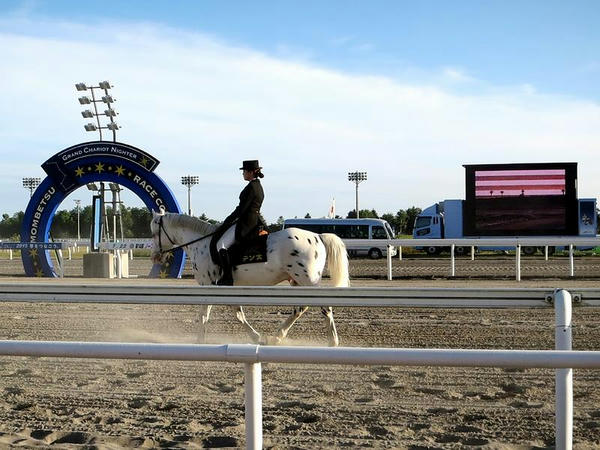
(521, 199)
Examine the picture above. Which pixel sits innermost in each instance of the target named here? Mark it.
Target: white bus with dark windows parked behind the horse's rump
(350, 229)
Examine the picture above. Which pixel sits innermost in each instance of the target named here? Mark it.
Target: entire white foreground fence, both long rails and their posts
(563, 359)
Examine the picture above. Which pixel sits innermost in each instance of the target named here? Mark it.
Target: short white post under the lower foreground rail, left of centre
(253, 389)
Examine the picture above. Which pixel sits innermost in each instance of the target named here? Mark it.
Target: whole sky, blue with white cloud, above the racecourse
(408, 91)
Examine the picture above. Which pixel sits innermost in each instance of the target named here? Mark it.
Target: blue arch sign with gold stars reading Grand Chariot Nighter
(85, 163)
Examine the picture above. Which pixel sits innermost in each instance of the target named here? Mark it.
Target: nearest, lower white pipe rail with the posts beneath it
(253, 355)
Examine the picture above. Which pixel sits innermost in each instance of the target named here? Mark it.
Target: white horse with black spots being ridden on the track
(293, 254)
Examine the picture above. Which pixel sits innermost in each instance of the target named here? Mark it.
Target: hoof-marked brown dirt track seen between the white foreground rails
(75, 403)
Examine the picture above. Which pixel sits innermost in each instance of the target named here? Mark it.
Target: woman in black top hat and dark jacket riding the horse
(243, 223)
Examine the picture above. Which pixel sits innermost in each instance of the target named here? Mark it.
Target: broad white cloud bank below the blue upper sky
(201, 105)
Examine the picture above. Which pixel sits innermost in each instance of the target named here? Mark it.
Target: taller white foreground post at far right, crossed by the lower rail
(564, 377)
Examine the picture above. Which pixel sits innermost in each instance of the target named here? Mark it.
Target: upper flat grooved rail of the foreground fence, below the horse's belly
(169, 293)
